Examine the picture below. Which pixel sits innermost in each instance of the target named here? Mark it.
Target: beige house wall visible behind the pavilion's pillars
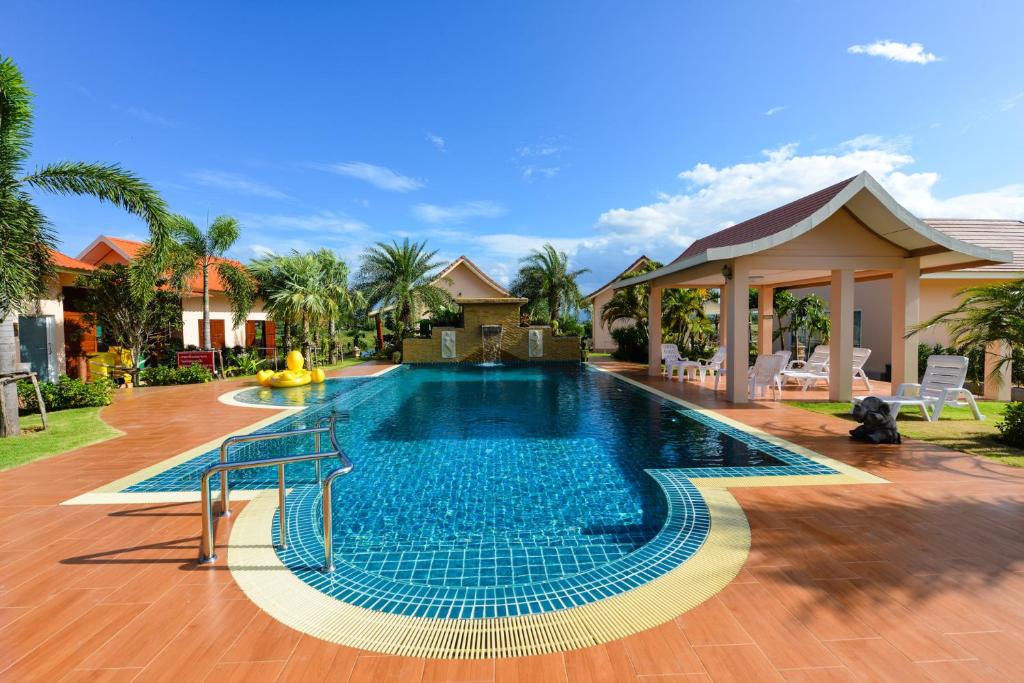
(874, 300)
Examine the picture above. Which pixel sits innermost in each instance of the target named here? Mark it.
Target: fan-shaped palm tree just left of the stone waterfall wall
(402, 277)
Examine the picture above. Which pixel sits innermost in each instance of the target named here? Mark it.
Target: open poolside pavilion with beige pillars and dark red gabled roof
(854, 231)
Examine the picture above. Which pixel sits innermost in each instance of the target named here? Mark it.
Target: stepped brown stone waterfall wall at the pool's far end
(492, 333)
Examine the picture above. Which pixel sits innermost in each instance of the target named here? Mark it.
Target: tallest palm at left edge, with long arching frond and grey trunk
(26, 235)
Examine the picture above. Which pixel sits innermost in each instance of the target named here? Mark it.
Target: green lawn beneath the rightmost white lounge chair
(957, 430)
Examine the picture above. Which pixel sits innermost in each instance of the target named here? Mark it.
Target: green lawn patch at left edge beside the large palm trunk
(68, 431)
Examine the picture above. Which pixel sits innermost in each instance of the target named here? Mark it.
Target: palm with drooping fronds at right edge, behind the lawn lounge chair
(988, 315)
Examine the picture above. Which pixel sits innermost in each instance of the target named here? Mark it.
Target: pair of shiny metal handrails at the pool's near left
(207, 542)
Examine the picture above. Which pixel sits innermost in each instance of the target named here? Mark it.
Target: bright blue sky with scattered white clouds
(612, 130)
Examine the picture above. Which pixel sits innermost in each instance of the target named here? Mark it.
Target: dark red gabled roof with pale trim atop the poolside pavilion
(866, 201)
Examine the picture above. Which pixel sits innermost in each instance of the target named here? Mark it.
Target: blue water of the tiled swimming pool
(510, 485)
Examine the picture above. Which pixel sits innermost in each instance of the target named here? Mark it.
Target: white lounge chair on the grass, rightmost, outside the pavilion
(942, 387)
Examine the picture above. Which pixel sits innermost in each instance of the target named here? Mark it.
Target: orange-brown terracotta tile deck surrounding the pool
(919, 580)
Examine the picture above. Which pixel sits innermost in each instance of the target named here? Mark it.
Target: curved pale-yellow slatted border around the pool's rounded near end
(260, 573)
